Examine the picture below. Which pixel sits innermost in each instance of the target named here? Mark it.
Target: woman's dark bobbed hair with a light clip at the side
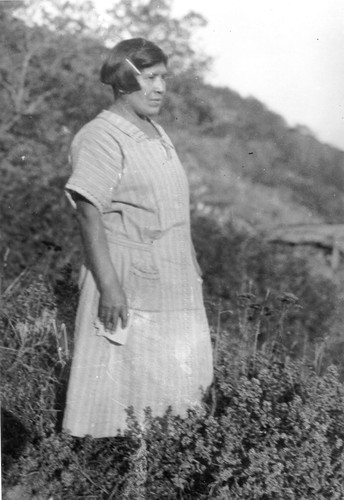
(117, 72)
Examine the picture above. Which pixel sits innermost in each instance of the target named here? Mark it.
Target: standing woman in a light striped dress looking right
(131, 197)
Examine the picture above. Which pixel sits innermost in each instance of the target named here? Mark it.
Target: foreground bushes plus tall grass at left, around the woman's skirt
(271, 428)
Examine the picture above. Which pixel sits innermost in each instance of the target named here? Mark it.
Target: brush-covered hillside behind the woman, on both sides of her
(244, 163)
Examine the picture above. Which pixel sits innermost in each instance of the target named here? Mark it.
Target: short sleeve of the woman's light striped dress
(96, 159)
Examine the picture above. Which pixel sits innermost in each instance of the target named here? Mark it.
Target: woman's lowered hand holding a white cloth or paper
(113, 307)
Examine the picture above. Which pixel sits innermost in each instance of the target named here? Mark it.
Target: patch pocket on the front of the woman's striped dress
(144, 284)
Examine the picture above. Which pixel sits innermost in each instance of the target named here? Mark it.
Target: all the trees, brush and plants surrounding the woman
(272, 426)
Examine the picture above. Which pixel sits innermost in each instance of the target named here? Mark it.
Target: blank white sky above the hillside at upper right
(289, 54)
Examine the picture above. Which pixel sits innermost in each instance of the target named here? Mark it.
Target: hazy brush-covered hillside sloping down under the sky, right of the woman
(245, 160)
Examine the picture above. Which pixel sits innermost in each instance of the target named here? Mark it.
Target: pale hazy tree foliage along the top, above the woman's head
(151, 19)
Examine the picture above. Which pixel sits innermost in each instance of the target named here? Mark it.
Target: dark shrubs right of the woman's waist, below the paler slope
(242, 272)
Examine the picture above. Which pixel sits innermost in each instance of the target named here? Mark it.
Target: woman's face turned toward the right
(148, 100)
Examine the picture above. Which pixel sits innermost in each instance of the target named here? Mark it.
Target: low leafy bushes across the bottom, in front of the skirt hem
(277, 434)
